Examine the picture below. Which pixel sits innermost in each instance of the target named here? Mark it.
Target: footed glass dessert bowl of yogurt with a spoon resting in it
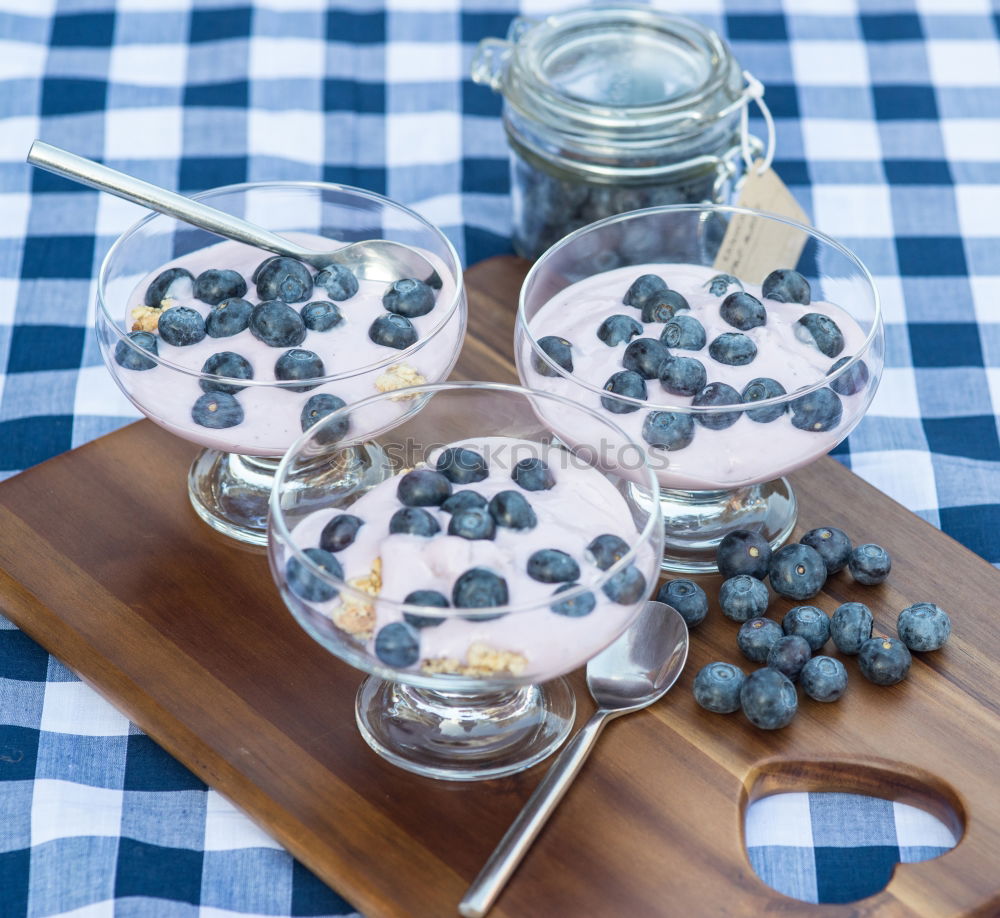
(238, 350)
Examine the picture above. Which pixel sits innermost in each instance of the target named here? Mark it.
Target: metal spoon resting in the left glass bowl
(374, 259)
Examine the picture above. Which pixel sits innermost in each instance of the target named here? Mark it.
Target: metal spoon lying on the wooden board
(631, 674)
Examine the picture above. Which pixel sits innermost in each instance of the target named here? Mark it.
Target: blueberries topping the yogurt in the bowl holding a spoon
(279, 281)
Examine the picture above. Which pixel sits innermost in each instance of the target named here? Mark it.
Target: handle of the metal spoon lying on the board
(502, 863)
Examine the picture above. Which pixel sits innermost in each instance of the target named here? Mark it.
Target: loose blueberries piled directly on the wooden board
(767, 696)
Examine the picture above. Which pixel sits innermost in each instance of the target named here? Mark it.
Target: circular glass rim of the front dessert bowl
(278, 529)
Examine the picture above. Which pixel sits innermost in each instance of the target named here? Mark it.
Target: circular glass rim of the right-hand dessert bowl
(873, 335)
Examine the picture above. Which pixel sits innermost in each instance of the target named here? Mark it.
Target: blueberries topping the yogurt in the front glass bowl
(471, 516)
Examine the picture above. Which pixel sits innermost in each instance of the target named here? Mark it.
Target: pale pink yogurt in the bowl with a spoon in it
(272, 413)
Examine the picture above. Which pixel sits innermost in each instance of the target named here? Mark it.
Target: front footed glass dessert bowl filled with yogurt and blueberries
(471, 563)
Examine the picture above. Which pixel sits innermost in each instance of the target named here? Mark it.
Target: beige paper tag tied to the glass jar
(752, 249)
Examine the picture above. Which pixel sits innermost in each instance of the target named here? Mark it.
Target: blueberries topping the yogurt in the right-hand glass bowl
(668, 358)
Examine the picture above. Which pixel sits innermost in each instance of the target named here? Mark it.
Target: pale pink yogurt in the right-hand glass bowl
(746, 453)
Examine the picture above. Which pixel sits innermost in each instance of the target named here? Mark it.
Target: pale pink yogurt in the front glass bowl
(582, 504)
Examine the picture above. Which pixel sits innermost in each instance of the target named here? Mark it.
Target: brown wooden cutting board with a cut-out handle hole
(103, 561)
